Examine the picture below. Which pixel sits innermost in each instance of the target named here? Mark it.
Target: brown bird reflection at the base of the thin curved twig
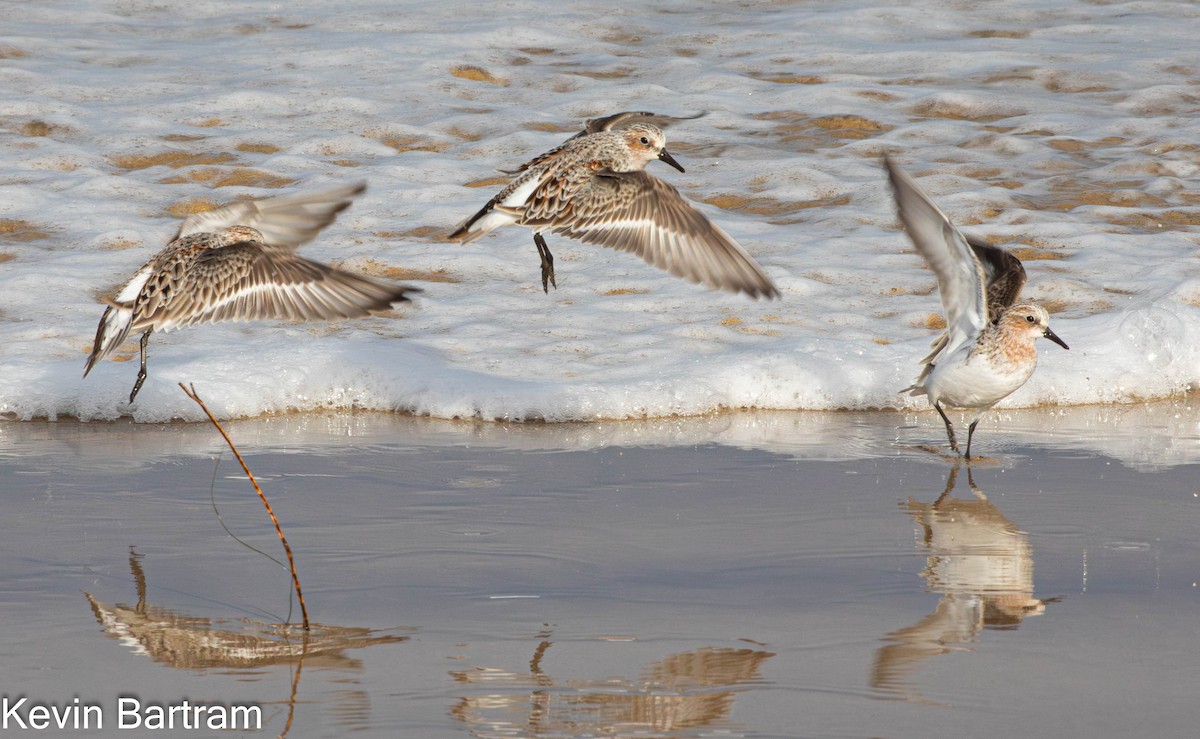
(190, 642)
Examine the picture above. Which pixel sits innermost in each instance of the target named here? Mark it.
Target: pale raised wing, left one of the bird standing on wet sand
(961, 278)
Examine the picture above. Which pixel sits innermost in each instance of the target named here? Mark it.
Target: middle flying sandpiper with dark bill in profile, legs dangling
(593, 188)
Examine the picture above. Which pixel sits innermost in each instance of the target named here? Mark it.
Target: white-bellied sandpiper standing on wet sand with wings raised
(988, 350)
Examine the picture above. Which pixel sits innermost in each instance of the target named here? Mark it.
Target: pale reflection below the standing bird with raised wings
(983, 567)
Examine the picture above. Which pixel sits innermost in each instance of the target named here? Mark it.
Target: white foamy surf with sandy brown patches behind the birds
(1063, 131)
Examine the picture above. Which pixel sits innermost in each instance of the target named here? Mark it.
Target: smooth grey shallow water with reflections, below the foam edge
(748, 575)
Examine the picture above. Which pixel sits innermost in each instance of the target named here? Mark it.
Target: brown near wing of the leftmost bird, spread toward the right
(251, 281)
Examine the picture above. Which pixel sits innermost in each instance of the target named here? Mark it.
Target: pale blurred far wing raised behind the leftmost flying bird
(287, 221)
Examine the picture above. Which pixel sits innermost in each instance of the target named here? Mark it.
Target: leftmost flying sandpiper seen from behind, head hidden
(239, 263)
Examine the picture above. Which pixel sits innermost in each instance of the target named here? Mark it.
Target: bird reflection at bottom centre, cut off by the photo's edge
(682, 692)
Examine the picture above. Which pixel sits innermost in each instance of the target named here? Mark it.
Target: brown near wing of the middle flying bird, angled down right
(638, 213)
